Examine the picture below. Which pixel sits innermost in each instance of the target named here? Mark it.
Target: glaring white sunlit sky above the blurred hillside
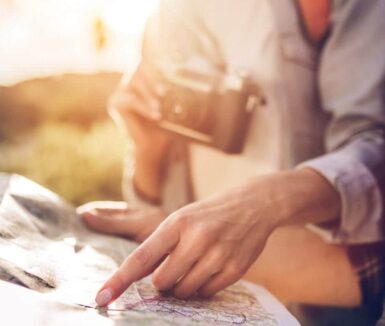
(59, 36)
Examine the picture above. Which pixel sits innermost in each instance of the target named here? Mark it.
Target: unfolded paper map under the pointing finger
(44, 246)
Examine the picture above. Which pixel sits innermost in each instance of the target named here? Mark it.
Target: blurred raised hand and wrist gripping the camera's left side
(135, 106)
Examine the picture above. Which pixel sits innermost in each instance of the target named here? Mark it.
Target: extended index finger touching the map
(140, 263)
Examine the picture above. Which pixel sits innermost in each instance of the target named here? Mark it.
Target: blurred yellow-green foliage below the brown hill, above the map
(79, 165)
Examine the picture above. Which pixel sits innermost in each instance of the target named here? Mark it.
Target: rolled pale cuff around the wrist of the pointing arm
(361, 201)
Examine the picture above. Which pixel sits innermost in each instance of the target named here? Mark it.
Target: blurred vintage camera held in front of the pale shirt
(213, 109)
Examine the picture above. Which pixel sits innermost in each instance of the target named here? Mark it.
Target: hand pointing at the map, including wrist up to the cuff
(207, 246)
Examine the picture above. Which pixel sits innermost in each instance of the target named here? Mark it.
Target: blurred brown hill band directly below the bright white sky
(76, 99)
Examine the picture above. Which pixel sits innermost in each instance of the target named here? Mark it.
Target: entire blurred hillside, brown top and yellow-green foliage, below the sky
(56, 131)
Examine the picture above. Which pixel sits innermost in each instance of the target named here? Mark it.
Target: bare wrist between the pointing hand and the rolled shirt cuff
(293, 197)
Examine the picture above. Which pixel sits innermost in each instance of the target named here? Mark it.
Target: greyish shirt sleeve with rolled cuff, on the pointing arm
(352, 88)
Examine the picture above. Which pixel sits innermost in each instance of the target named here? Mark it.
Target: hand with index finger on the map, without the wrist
(202, 244)
